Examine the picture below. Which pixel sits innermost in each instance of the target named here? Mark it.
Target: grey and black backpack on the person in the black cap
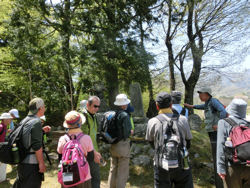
(169, 143)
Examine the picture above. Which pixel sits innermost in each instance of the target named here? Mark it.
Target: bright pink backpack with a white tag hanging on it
(74, 167)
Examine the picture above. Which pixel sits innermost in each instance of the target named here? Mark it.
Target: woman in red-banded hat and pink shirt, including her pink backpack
(76, 149)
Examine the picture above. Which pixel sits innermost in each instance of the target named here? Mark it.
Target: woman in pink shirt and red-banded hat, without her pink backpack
(73, 122)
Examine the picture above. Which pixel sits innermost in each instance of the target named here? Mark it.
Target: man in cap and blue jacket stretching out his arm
(214, 111)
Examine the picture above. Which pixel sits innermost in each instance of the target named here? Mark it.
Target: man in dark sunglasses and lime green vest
(90, 128)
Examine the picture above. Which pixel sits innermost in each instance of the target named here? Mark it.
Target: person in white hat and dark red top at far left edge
(6, 119)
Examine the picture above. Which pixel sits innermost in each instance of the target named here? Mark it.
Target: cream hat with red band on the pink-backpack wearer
(74, 119)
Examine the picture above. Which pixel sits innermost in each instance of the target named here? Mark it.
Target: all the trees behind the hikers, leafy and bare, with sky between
(62, 51)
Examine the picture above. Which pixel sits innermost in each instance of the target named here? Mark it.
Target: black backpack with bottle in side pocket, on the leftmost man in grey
(13, 150)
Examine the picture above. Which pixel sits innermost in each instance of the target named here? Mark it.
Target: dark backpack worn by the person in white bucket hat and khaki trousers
(109, 131)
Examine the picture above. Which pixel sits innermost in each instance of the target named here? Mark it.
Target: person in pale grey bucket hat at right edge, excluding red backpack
(233, 175)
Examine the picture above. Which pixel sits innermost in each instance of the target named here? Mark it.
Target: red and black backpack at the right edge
(240, 137)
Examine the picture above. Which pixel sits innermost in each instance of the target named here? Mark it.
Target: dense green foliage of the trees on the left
(59, 51)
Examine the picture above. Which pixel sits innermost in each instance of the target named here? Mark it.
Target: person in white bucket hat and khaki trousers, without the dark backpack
(120, 151)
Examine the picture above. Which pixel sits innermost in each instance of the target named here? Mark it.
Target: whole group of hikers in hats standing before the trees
(168, 133)
